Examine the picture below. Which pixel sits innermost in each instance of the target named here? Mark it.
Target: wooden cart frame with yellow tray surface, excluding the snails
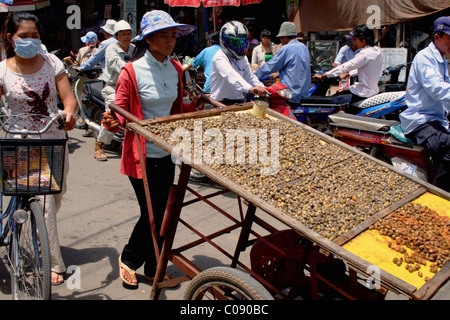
(294, 247)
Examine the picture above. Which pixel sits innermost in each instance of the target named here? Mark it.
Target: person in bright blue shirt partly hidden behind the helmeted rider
(204, 59)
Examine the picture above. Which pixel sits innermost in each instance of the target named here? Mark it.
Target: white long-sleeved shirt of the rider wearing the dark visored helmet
(230, 78)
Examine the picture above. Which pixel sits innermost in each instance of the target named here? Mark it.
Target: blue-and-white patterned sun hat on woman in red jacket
(156, 20)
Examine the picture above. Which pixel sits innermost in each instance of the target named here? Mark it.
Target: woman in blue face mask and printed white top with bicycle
(30, 79)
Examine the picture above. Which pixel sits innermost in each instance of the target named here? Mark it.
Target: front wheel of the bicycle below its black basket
(30, 257)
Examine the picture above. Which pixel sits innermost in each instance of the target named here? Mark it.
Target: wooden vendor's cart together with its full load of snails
(333, 205)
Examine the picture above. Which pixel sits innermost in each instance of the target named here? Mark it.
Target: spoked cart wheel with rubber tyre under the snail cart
(225, 283)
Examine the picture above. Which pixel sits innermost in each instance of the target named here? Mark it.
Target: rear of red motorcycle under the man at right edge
(384, 140)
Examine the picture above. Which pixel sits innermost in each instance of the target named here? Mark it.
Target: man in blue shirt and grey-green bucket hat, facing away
(292, 61)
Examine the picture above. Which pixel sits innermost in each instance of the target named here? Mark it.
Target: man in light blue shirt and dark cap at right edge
(425, 121)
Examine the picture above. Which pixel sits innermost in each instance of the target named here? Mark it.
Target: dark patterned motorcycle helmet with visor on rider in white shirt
(234, 39)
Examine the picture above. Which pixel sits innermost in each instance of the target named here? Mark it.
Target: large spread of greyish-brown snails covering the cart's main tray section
(326, 187)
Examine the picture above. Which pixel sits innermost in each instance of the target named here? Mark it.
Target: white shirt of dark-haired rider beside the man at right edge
(367, 65)
